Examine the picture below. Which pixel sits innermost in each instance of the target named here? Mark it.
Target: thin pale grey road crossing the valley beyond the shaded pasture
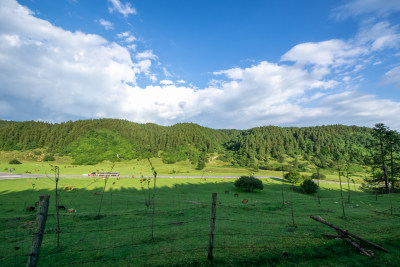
(8, 176)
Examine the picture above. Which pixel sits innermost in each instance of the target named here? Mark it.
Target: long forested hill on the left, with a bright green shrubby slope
(178, 142)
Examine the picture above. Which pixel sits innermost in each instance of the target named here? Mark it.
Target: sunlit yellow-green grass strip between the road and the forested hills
(32, 164)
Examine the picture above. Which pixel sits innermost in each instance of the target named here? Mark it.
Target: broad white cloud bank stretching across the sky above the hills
(52, 74)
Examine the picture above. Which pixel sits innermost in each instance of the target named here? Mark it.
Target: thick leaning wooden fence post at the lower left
(41, 218)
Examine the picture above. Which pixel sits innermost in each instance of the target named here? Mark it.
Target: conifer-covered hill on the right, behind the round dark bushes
(263, 142)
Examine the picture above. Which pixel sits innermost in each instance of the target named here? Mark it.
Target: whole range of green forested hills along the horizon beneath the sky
(91, 141)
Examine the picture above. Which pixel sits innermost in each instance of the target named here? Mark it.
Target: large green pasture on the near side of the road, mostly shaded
(257, 233)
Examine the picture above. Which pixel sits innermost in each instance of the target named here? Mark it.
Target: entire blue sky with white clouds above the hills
(221, 64)
